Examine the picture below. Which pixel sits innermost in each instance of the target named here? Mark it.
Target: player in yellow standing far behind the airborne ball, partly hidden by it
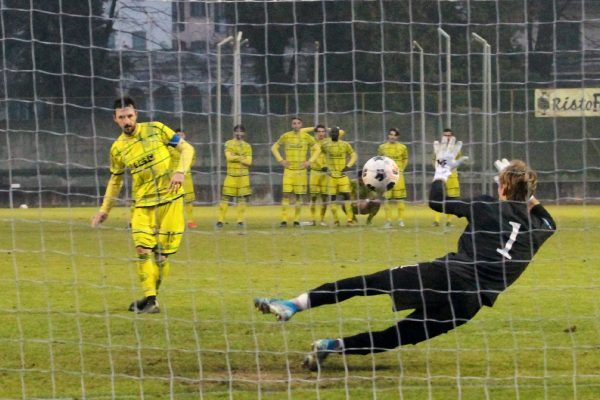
(399, 153)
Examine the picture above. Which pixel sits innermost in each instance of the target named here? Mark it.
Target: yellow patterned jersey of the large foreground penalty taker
(145, 154)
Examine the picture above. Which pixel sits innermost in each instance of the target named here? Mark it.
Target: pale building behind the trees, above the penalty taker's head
(168, 55)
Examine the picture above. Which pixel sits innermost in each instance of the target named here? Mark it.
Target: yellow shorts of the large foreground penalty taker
(159, 227)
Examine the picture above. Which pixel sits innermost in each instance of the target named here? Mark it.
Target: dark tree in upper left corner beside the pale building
(57, 51)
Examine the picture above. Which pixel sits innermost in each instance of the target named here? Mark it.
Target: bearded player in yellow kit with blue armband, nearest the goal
(157, 222)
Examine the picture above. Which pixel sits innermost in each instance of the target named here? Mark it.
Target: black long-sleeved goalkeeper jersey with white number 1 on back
(498, 243)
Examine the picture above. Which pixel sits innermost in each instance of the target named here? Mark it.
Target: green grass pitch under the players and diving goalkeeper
(65, 331)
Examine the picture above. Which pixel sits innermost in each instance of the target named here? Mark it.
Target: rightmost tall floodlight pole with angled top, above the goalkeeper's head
(486, 109)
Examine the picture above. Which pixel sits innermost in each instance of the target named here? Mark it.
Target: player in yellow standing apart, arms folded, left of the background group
(236, 186)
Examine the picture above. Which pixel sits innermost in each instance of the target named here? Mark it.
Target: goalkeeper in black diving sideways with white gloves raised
(502, 236)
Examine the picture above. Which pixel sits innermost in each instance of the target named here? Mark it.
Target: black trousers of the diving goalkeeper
(440, 303)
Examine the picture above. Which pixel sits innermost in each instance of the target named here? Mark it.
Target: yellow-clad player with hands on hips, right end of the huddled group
(340, 157)
